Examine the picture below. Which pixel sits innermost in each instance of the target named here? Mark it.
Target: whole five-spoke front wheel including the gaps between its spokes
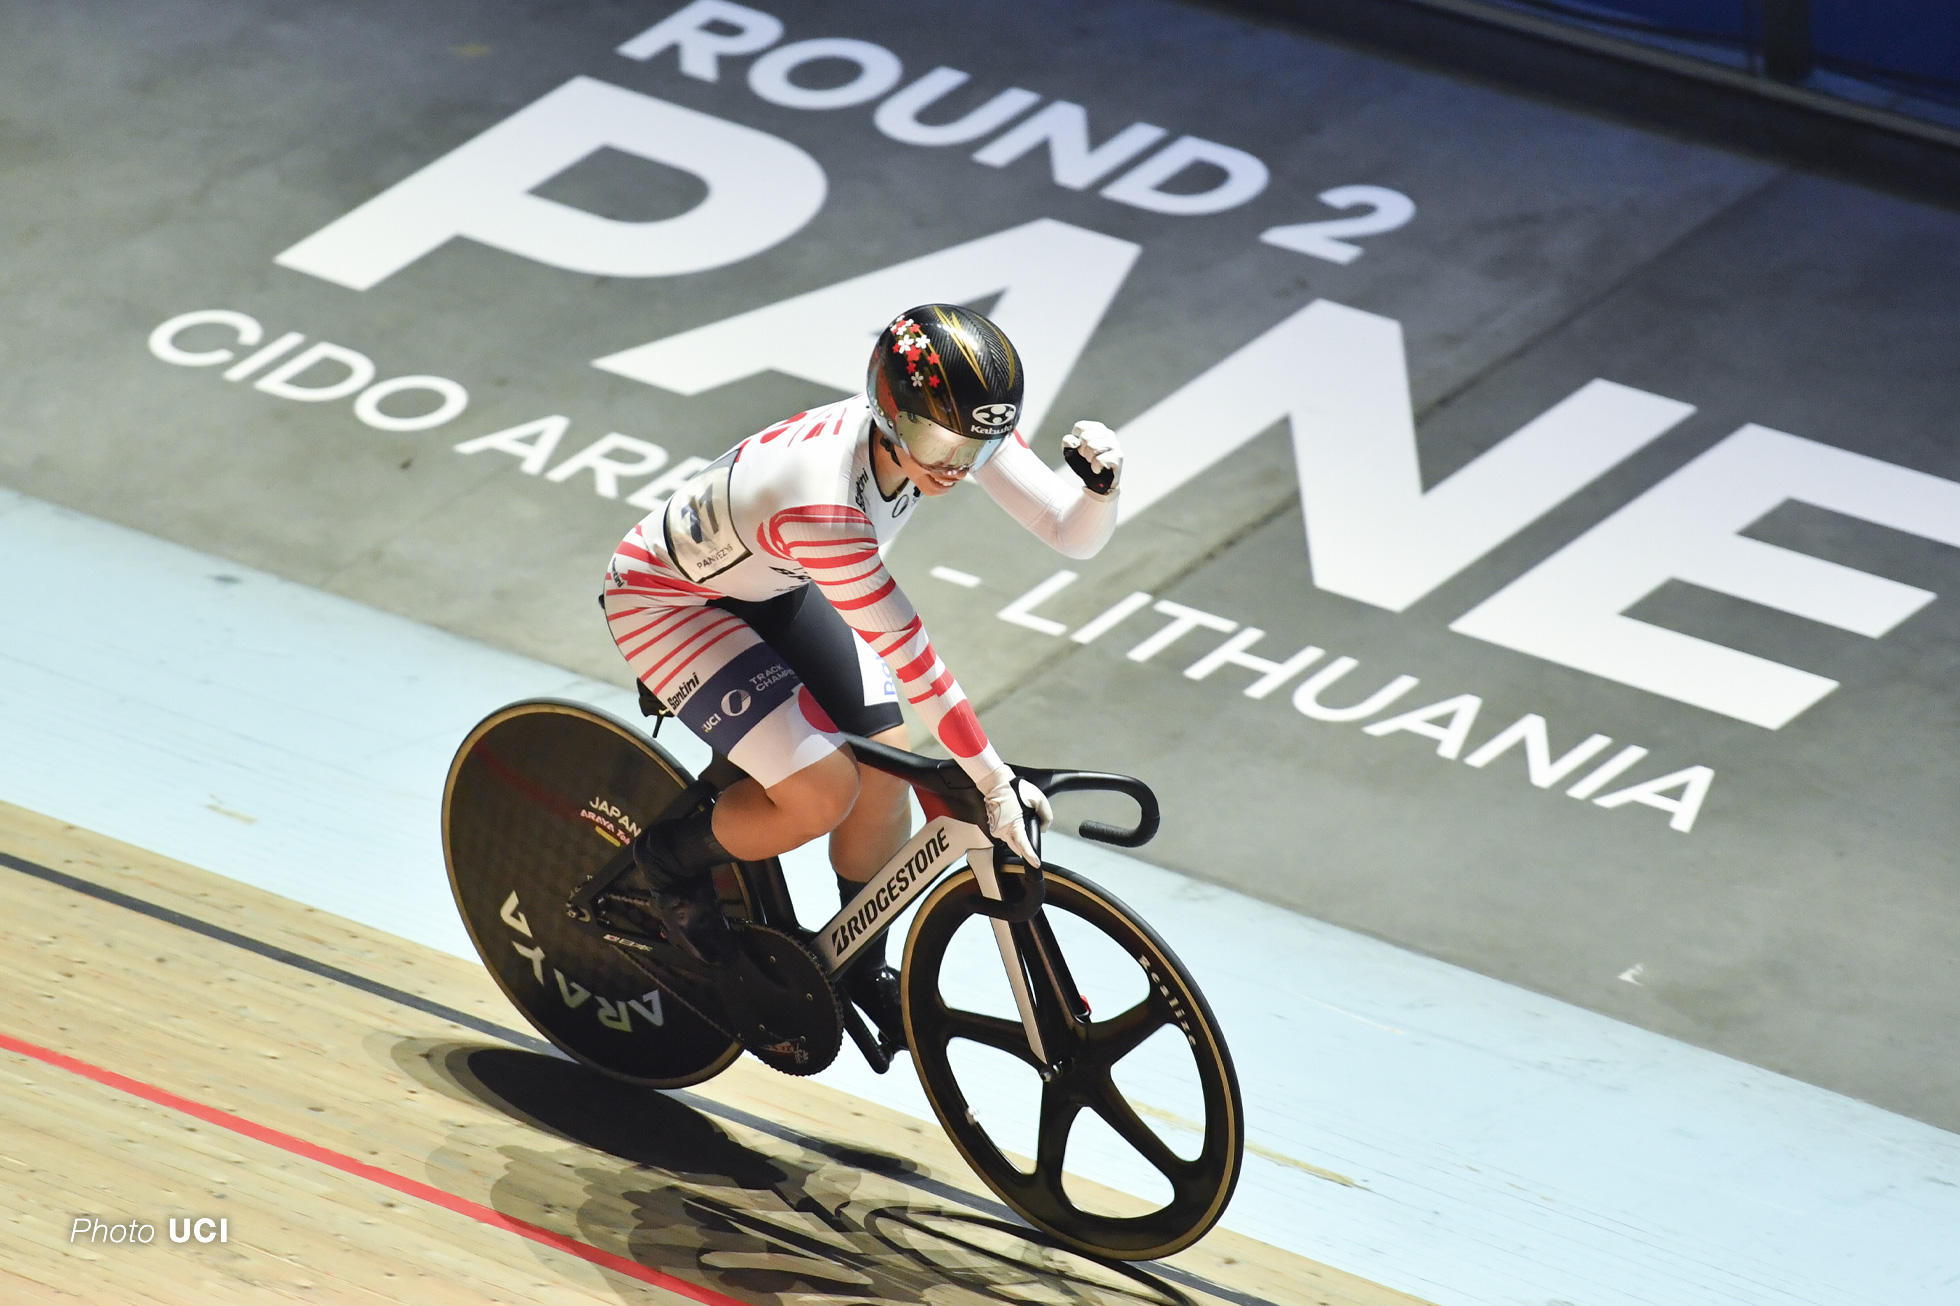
(1159, 1040)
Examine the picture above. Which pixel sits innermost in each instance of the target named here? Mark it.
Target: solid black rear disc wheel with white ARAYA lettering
(540, 797)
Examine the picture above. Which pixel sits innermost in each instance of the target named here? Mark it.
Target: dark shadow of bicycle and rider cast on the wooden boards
(797, 1221)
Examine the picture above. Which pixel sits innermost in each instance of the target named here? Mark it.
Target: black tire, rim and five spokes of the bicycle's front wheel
(1200, 1189)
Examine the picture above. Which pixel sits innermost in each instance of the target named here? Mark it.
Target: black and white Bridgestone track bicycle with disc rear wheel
(540, 811)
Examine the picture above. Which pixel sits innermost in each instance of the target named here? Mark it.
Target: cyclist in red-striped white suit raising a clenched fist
(710, 601)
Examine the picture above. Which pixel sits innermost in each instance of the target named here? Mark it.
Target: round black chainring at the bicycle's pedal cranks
(781, 1003)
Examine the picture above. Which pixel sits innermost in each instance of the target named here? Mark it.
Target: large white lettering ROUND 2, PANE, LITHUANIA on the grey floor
(1334, 376)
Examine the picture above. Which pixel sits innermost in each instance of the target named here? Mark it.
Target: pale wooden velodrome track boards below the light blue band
(375, 1125)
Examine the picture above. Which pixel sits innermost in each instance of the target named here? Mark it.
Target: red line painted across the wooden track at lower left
(389, 1180)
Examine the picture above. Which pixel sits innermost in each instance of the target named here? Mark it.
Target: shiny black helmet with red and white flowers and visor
(948, 385)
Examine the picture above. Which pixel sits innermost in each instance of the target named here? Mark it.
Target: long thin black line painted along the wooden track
(428, 1007)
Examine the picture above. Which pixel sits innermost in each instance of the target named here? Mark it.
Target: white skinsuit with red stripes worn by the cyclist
(799, 505)
